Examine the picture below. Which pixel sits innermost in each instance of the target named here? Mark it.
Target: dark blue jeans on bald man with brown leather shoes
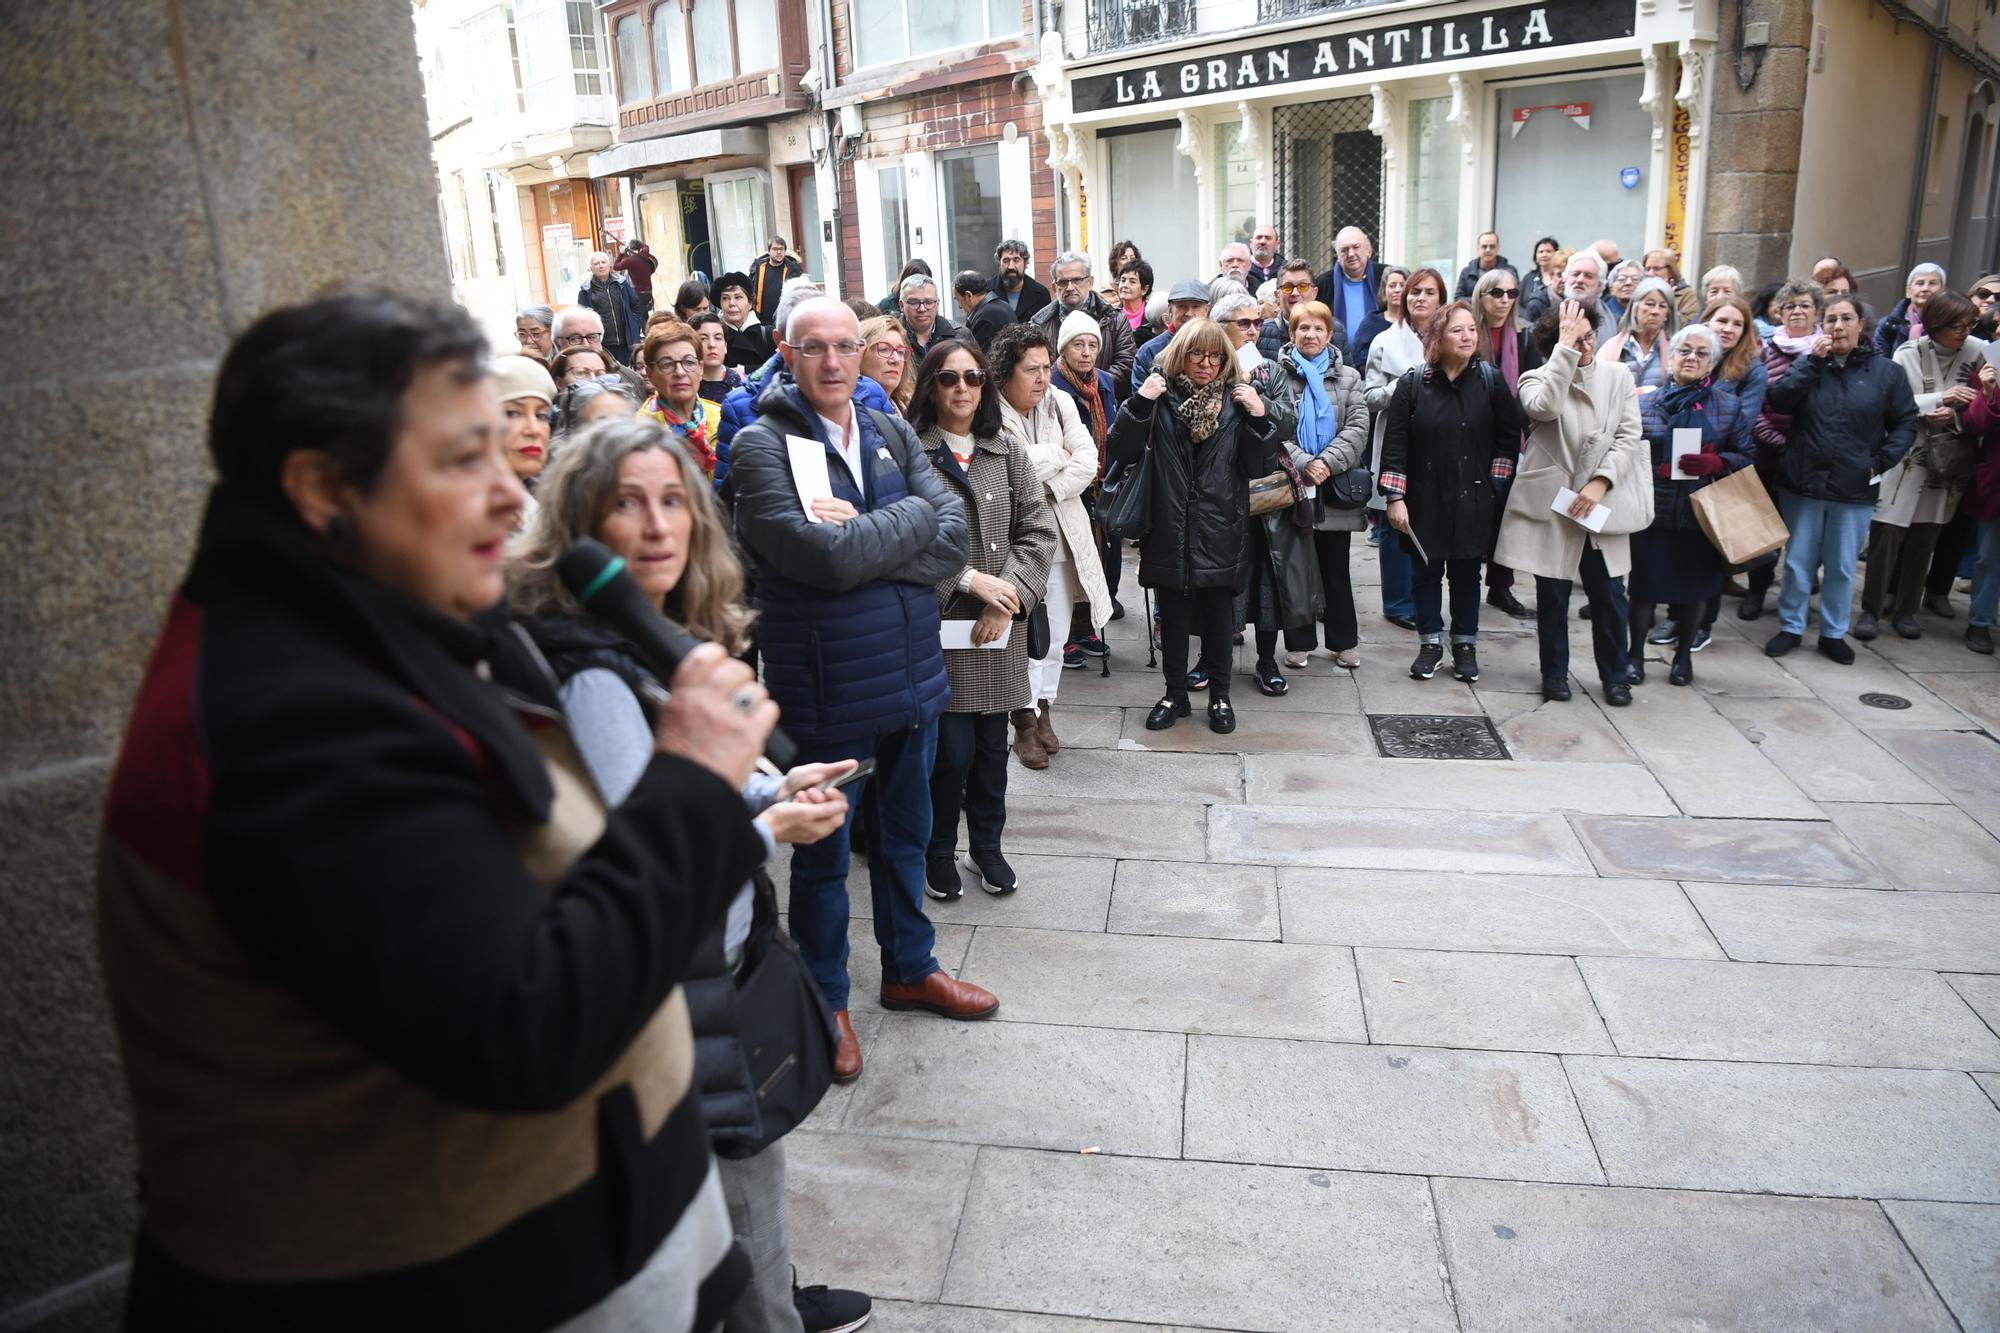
(899, 794)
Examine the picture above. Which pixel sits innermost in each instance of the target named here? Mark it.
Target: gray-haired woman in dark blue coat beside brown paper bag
(1673, 561)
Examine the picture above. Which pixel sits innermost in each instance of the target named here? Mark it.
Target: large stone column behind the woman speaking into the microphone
(177, 167)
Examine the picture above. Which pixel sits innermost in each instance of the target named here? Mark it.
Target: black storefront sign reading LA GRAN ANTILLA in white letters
(1395, 47)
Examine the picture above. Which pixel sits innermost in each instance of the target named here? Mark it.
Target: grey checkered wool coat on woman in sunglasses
(1013, 537)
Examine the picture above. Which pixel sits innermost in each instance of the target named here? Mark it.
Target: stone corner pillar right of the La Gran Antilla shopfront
(1753, 143)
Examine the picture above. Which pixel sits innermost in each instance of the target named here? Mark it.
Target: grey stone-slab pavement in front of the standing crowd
(1681, 1016)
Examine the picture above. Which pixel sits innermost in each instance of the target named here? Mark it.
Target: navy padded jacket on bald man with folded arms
(847, 611)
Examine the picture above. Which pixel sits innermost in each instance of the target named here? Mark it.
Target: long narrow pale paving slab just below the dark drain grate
(1455, 786)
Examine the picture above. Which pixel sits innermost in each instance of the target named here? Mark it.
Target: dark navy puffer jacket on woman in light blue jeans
(1849, 425)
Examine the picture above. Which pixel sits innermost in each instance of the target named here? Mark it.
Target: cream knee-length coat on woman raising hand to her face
(1573, 409)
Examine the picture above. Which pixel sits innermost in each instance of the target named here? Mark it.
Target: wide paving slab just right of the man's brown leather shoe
(1175, 986)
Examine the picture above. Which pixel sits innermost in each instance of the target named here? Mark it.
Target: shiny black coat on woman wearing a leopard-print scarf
(1201, 493)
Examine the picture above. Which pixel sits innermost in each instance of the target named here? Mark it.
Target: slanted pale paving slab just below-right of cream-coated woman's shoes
(1703, 762)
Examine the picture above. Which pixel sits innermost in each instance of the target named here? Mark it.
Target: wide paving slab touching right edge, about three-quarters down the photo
(1785, 1014)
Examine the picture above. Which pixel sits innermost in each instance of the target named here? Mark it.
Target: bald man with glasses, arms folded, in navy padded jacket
(849, 627)
